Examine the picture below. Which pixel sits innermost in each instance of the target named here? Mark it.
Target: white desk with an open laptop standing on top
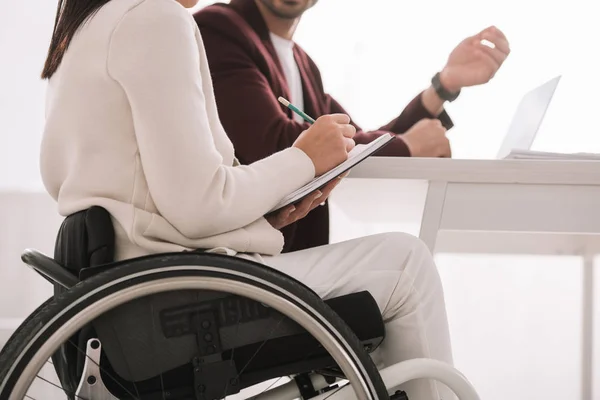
(496, 206)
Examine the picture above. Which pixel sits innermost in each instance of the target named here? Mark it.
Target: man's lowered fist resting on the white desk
(427, 138)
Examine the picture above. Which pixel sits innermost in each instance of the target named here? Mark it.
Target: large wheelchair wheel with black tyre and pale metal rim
(53, 323)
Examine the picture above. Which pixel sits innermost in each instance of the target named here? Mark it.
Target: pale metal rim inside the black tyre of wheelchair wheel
(310, 320)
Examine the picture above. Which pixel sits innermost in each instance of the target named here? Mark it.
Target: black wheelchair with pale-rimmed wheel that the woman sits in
(194, 325)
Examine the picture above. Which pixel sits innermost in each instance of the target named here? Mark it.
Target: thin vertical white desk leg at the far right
(587, 348)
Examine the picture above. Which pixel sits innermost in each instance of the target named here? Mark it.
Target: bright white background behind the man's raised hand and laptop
(390, 50)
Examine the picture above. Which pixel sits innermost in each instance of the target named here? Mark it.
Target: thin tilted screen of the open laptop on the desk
(528, 118)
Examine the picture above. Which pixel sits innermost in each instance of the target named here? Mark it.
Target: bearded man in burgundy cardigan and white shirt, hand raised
(247, 42)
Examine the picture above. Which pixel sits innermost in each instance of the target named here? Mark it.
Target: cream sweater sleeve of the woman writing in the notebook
(156, 58)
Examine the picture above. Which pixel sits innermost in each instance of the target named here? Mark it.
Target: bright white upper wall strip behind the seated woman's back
(25, 28)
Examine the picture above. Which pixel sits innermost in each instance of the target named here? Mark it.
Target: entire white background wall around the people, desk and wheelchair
(514, 320)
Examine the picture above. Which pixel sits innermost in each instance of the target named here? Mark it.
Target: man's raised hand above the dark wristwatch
(473, 62)
